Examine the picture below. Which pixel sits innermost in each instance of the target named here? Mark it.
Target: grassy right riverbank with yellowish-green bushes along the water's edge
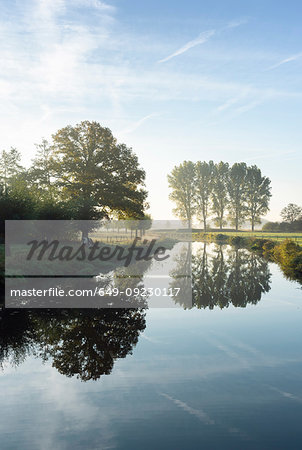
(287, 253)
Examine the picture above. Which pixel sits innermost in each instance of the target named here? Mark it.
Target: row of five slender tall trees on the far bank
(219, 191)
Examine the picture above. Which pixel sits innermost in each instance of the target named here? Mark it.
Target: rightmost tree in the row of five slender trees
(258, 193)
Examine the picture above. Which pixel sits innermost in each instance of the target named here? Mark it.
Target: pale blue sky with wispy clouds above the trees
(174, 80)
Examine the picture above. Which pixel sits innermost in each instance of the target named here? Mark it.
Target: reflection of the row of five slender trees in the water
(223, 277)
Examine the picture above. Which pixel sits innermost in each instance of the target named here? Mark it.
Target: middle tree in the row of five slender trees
(220, 196)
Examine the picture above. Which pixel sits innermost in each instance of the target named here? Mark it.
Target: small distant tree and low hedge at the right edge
(292, 220)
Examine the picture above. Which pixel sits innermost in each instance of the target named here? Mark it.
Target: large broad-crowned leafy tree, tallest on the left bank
(96, 174)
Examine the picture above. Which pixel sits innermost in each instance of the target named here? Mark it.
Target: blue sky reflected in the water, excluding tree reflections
(204, 378)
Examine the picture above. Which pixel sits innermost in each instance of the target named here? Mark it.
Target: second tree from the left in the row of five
(204, 189)
